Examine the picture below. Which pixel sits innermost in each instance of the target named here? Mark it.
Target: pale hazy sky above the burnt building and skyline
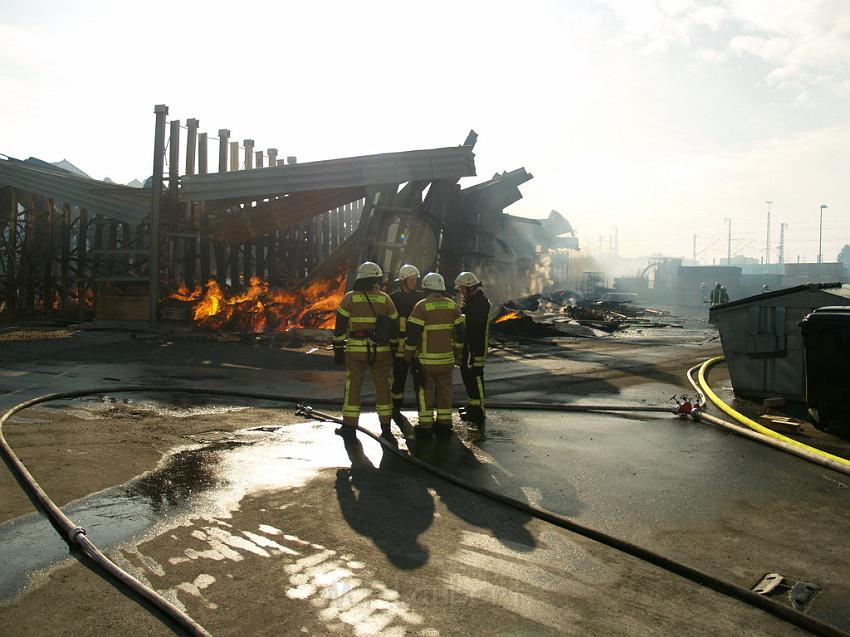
(656, 117)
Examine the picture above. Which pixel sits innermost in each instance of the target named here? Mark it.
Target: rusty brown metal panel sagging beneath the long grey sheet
(250, 222)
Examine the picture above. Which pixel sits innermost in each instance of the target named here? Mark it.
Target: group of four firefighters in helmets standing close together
(418, 330)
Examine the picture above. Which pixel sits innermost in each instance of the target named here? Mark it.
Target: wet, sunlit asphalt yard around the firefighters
(272, 526)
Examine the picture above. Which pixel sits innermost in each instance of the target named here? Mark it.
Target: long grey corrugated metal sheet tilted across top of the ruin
(386, 168)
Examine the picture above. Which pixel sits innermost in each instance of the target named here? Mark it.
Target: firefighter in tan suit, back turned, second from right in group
(435, 336)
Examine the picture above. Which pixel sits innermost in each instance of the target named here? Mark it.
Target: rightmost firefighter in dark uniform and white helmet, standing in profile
(476, 310)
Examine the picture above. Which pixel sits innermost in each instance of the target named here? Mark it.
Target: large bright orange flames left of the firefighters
(261, 309)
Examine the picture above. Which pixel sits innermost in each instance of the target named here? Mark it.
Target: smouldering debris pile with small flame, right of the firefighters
(567, 313)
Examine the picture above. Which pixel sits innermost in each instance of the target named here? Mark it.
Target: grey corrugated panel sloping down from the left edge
(122, 203)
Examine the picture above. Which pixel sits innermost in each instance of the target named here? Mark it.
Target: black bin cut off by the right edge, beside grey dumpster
(826, 346)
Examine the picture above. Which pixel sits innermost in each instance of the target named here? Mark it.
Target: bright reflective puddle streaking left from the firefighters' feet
(200, 481)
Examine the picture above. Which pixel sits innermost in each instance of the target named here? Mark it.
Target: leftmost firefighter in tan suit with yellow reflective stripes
(365, 336)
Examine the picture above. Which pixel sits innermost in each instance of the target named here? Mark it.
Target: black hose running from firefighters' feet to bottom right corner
(729, 589)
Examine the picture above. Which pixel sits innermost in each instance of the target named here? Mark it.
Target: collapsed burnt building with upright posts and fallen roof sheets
(65, 237)
